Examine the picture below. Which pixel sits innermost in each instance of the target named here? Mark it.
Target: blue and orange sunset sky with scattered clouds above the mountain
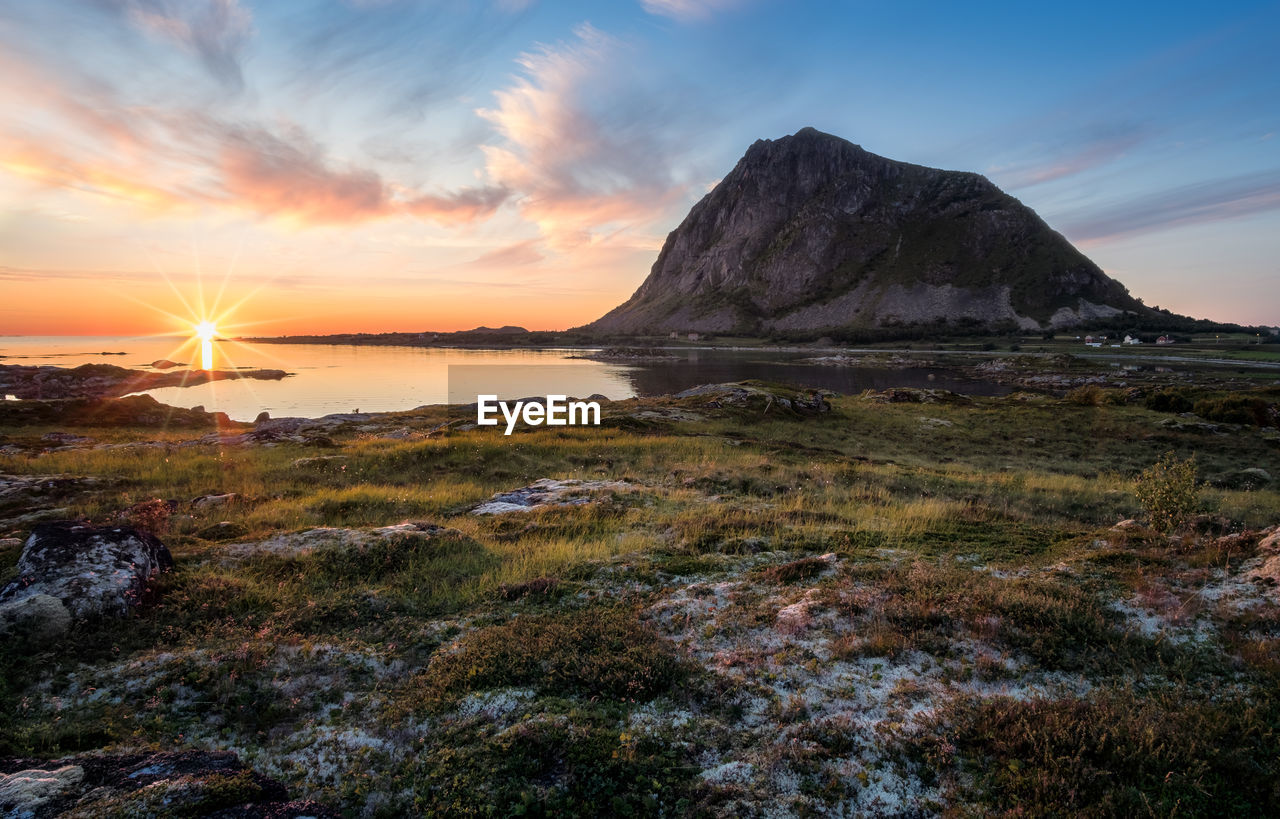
(380, 166)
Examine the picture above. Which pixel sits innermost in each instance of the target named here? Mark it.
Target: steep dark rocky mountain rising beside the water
(811, 234)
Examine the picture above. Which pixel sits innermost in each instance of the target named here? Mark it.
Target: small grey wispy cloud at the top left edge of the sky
(216, 31)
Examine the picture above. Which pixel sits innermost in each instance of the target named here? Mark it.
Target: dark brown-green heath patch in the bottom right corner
(1113, 754)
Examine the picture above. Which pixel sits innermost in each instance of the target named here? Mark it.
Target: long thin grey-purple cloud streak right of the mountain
(1214, 200)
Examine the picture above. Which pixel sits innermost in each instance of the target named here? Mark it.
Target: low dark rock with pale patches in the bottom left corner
(182, 784)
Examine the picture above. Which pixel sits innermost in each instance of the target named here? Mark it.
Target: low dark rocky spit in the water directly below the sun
(104, 381)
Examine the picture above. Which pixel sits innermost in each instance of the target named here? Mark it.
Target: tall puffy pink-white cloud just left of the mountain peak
(580, 152)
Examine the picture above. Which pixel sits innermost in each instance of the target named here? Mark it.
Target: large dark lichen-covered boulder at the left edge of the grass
(74, 573)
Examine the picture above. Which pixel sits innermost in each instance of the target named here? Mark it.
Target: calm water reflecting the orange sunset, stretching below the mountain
(331, 378)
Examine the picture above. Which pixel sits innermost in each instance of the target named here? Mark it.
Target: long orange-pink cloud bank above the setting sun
(175, 161)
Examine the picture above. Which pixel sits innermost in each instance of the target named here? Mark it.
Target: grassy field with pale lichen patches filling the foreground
(893, 607)
